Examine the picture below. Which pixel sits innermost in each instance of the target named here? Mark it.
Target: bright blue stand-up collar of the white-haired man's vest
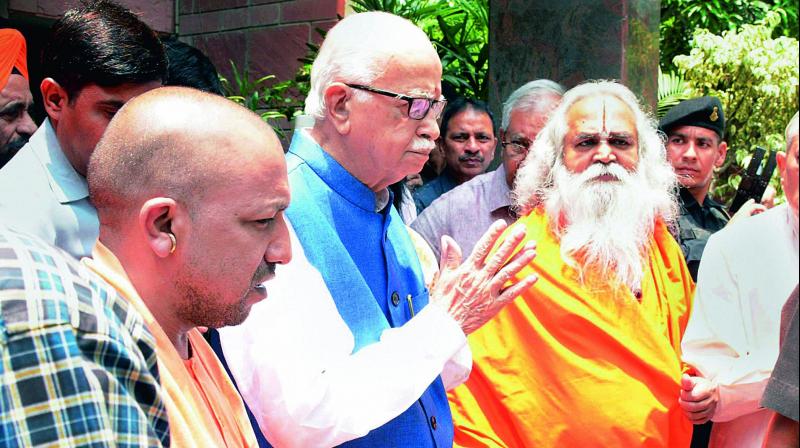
(335, 175)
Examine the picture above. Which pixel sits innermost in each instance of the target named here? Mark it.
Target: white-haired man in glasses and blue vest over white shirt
(351, 347)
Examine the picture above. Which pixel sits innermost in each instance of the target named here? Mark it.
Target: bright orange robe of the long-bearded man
(566, 366)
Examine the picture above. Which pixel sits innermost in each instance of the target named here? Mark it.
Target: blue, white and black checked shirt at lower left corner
(77, 364)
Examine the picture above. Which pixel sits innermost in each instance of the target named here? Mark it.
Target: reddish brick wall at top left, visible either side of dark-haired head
(264, 36)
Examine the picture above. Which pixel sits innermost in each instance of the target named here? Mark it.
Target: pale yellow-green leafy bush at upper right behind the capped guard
(756, 78)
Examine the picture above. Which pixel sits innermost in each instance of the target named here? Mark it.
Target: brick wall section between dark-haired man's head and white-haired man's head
(264, 36)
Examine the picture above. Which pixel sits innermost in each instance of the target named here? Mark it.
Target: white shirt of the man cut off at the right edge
(746, 274)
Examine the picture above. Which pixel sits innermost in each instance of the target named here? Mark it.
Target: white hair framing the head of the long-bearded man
(535, 176)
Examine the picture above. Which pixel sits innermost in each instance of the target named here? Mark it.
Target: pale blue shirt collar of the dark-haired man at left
(65, 182)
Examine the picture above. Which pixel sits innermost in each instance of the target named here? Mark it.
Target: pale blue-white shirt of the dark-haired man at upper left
(41, 193)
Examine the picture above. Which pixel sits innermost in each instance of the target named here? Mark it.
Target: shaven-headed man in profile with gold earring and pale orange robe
(192, 241)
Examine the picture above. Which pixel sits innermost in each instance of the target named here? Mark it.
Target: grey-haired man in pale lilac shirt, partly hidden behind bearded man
(465, 212)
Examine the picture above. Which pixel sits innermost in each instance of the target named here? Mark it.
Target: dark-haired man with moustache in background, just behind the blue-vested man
(467, 141)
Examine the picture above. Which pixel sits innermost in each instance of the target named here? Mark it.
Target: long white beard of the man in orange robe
(605, 225)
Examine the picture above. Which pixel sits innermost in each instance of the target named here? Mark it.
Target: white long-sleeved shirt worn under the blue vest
(293, 363)
